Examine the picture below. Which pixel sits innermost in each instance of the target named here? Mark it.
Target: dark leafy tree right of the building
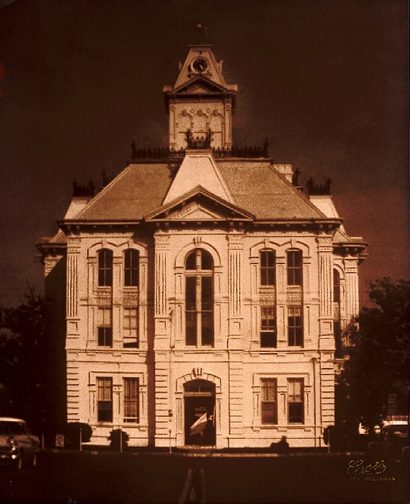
(378, 362)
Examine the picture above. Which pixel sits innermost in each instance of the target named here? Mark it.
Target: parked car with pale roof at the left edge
(17, 445)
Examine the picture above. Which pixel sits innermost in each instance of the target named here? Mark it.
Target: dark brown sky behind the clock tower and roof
(324, 81)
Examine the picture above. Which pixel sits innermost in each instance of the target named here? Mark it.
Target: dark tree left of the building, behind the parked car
(28, 362)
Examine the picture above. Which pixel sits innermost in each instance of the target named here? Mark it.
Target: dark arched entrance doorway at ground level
(200, 424)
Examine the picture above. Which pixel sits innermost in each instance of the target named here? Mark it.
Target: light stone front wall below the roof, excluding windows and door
(236, 363)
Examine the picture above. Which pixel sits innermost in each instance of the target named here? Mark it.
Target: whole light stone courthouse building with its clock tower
(203, 294)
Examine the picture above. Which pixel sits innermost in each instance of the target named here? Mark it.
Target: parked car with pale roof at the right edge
(392, 442)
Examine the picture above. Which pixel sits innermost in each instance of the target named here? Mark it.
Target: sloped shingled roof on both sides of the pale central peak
(254, 185)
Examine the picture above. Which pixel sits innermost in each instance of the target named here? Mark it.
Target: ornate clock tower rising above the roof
(200, 103)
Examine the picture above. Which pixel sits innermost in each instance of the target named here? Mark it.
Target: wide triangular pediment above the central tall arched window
(198, 205)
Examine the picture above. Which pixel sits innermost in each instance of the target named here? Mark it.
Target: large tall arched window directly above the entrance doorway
(199, 323)
